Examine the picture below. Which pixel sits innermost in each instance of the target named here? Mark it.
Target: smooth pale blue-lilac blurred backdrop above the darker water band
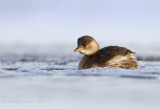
(131, 23)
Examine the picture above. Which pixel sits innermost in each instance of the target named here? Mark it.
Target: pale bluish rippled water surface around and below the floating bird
(51, 80)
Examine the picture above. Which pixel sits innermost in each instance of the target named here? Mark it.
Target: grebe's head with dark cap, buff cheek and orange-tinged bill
(87, 45)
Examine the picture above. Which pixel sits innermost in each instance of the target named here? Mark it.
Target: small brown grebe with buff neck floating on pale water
(111, 56)
